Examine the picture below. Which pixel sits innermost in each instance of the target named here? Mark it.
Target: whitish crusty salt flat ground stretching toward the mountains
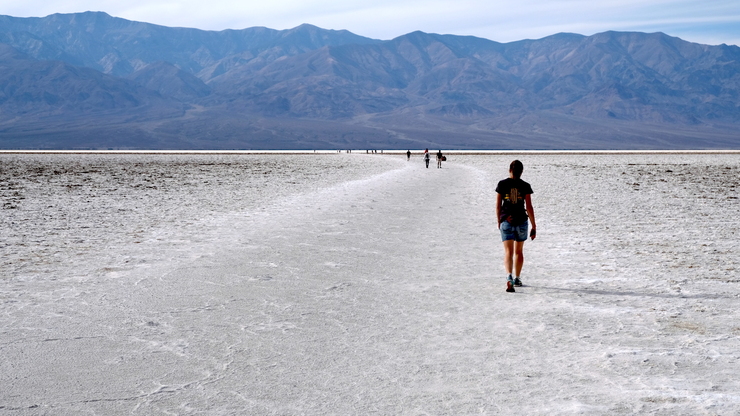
(380, 290)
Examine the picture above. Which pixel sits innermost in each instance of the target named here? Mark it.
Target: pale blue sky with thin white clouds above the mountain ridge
(704, 21)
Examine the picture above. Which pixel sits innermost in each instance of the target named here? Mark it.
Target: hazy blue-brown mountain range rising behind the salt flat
(89, 80)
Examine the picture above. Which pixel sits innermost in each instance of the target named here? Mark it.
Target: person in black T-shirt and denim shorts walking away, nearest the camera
(514, 210)
